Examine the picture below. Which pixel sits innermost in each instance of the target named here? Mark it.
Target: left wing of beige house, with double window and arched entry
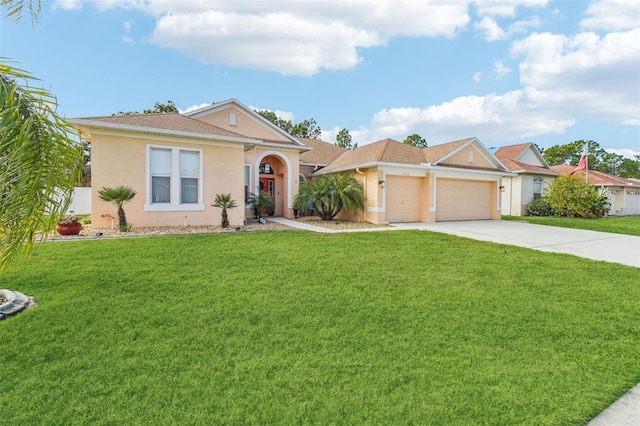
(178, 163)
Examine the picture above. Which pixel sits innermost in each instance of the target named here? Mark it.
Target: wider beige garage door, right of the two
(462, 200)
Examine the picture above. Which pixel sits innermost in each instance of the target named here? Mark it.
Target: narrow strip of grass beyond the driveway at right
(629, 225)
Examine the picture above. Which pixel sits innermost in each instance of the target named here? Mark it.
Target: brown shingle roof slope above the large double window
(171, 121)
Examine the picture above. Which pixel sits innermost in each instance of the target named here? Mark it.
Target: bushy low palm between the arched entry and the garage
(332, 193)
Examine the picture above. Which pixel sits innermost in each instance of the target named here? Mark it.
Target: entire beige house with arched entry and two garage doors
(179, 162)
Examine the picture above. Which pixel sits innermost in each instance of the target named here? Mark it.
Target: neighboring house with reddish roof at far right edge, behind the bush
(623, 193)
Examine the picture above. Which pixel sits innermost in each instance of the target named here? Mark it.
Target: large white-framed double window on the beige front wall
(174, 179)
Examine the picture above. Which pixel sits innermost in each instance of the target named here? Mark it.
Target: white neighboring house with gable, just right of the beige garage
(532, 176)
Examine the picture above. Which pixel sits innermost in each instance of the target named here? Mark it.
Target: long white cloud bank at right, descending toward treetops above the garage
(564, 79)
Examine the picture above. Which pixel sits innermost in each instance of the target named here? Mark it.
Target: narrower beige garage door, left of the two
(403, 198)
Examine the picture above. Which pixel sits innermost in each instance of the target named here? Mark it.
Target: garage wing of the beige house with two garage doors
(452, 181)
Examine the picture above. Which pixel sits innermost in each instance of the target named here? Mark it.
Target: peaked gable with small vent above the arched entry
(234, 116)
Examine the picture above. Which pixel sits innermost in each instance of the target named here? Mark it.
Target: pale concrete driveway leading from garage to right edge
(617, 248)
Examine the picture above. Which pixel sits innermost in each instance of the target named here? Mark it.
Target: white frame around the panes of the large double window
(174, 204)
